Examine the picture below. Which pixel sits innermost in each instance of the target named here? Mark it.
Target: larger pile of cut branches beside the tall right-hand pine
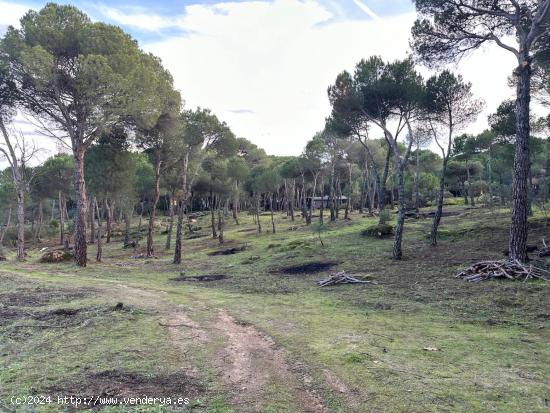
(512, 270)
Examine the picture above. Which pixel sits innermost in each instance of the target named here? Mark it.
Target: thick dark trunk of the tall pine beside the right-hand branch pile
(518, 229)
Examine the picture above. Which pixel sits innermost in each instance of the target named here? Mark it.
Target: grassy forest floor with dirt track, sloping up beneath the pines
(258, 335)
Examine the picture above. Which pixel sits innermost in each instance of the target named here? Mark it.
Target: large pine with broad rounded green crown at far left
(79, 79)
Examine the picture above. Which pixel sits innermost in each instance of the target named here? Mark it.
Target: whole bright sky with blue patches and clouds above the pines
(264, 66)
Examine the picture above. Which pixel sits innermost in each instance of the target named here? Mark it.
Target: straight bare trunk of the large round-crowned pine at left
(80, 245)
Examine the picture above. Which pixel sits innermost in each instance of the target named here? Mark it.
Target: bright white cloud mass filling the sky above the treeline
(277, 60)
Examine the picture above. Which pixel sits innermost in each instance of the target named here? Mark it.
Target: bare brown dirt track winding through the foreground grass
(248, 363)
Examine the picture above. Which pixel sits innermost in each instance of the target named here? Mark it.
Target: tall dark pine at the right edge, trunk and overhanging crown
(447, 29)
